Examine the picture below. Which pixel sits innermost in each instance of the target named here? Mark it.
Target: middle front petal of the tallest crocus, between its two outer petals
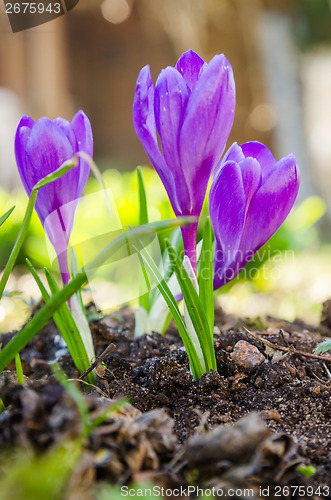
(171, 97)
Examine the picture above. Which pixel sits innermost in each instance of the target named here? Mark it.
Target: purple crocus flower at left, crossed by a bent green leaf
(41, 148)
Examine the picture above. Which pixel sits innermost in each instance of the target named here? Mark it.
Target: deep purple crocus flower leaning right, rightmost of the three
(250, 197)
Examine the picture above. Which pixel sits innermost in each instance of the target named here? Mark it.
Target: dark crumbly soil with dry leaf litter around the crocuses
(174, 433)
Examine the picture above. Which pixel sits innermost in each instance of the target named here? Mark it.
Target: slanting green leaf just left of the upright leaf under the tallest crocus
(195, 309)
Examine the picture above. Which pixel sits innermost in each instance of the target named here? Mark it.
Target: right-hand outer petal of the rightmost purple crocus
(271, 204)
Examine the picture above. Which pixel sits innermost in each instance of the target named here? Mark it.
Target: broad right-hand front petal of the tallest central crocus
(207, 124)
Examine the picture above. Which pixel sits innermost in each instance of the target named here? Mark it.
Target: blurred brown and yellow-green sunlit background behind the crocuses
(280, 51)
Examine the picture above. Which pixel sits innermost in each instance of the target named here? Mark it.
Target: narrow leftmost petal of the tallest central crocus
(144, 125)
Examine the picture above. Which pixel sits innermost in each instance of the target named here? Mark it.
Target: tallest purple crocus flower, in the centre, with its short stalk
(192, 109)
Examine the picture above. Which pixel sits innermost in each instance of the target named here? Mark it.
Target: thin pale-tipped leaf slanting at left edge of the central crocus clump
(197, 369)
